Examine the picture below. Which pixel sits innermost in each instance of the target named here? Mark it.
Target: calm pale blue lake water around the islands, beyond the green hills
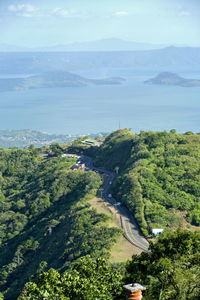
(95, 109)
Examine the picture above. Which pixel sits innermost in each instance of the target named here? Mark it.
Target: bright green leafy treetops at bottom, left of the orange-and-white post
(89, 279)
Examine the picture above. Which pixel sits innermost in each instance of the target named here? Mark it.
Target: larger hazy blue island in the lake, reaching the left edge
(53, 80)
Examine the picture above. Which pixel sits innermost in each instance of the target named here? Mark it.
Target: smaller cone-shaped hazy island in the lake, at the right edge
(168, 78)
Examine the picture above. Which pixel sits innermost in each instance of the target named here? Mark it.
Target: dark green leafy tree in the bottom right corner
(171, 270)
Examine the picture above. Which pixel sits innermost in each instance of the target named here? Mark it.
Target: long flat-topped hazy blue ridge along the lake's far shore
(172, 58)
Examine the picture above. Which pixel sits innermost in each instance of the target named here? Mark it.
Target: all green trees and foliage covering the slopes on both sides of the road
(51, 238)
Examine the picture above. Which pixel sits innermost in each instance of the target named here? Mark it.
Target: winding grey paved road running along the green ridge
(131, 229)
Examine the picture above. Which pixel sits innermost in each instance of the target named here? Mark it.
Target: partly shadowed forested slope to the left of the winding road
(45, 220)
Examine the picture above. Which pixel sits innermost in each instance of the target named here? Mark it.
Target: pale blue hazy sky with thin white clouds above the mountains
(35, 23)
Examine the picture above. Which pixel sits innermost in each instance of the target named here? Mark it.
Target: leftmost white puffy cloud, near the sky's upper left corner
(23, 10)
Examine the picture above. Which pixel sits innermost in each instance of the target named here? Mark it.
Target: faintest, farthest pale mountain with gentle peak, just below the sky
(99, 45)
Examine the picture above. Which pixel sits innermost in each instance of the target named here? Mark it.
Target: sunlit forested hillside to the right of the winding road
(158, 176)
